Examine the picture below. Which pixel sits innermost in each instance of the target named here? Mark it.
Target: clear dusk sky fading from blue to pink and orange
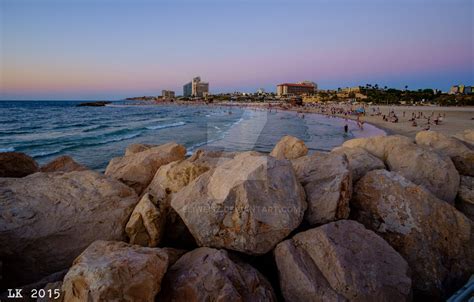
(112, 49)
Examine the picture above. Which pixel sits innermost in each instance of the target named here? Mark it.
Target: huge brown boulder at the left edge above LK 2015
(48, 219)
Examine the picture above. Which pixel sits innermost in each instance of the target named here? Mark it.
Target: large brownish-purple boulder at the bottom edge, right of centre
(341, 261)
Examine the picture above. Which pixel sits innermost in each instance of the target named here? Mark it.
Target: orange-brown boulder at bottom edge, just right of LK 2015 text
(115, 271)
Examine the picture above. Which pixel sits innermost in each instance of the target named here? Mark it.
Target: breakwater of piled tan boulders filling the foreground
(372, 220)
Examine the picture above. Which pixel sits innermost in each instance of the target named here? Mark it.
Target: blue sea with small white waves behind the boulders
(94, 135)
